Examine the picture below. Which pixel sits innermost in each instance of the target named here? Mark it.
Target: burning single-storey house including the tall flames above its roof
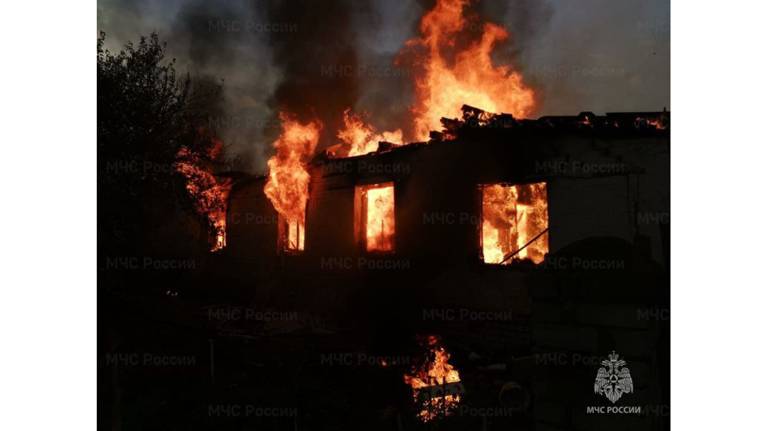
(468, 182)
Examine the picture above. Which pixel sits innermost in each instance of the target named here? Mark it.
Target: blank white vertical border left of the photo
(48, 287)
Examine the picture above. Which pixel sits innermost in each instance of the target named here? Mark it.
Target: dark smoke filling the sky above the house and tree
(315, 58)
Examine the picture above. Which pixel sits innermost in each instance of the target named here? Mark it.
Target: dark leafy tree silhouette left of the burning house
(146, 114)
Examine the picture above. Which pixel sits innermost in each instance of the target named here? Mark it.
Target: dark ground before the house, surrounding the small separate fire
(194, 350)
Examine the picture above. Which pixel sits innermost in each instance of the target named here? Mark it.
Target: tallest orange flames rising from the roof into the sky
(448, 73)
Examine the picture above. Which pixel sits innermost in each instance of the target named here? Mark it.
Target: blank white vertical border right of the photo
(719, 217)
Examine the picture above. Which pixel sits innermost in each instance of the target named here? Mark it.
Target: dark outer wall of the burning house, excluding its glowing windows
(596, 188)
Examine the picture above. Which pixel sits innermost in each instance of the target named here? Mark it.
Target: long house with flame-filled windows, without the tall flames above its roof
(487, 191)
